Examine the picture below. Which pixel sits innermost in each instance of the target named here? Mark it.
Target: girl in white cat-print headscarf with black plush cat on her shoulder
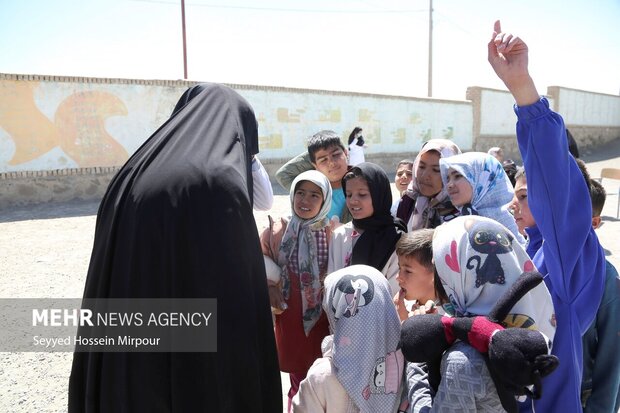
(478, 261)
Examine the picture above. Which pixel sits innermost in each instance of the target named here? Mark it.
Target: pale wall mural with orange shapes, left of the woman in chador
(57, 125)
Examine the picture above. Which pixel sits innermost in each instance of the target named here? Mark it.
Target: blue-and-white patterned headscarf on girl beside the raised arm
(491, 187)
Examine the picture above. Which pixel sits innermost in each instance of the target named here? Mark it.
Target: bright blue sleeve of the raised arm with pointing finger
(560, 203)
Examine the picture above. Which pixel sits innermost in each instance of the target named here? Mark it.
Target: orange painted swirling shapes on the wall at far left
(76, 127)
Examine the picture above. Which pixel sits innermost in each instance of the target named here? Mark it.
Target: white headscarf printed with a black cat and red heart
(477, 260)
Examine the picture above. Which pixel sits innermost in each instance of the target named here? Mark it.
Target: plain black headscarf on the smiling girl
(381, 231)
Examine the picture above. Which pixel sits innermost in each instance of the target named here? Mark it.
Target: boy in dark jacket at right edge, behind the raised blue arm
(600, 388)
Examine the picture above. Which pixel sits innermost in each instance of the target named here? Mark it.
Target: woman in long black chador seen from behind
(176, 222)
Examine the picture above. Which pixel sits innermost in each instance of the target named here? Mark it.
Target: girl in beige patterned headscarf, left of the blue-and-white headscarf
(425, 203)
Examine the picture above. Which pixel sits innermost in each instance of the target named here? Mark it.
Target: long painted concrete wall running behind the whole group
(63, 138)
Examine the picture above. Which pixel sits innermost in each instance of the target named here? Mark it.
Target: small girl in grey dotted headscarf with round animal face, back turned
(362, 369)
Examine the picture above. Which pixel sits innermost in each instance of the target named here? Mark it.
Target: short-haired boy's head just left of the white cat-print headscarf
(416, 276)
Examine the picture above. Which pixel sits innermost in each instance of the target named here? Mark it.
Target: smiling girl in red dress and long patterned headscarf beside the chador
(296, 255)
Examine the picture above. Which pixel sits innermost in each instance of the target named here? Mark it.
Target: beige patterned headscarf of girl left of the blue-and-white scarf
(425, 208)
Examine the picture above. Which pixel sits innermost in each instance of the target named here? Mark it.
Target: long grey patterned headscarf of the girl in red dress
(299, 236)
